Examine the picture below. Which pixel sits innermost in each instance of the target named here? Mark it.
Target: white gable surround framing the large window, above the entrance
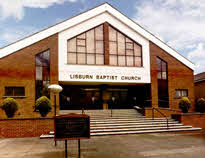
(67, 70)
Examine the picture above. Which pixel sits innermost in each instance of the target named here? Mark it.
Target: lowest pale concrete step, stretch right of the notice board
(144, 131)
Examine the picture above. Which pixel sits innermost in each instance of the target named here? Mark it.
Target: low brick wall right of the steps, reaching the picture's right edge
(193, 119)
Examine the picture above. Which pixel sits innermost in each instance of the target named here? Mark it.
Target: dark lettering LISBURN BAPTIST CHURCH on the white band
(103, 77)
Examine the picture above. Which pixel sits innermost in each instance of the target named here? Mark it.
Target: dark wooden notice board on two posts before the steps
(72, 127)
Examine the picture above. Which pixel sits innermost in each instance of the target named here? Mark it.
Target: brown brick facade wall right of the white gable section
(179, 77)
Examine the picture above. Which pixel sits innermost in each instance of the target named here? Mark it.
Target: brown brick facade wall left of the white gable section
(18, 69)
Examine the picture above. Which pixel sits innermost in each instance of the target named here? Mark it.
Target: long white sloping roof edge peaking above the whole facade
(85, 16)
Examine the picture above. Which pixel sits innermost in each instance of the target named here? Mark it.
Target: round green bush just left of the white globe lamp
(43, 104)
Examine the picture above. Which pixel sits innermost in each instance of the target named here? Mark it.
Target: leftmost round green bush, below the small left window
(10, 106)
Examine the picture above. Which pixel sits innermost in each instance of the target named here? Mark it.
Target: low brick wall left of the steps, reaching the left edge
(31, 127)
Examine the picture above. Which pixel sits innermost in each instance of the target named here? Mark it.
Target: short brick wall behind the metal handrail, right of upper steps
(168, 112)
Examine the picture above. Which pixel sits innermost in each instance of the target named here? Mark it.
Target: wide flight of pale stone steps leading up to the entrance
(128, 122)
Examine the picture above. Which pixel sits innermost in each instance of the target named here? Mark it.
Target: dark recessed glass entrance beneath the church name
(76, 97)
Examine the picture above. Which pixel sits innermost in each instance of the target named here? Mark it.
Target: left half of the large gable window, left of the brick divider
(87, 48)
